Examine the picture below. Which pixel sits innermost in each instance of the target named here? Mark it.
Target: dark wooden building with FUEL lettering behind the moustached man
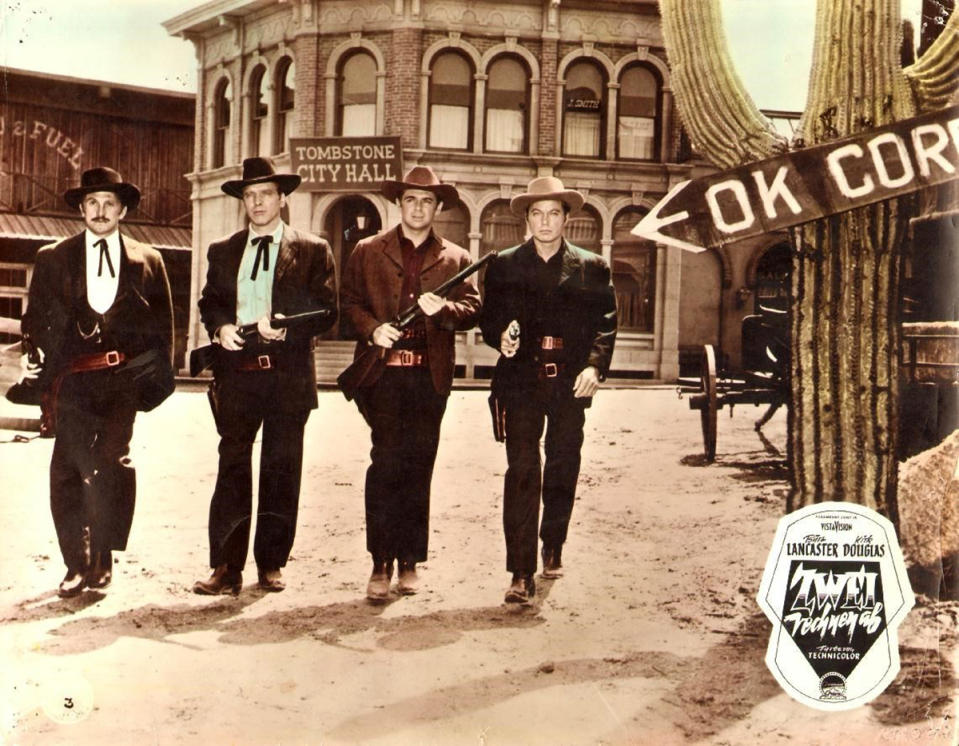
(52, 128)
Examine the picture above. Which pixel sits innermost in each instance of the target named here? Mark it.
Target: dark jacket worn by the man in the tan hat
(588, 321)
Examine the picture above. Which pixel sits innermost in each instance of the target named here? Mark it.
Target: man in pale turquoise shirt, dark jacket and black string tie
(268, 269)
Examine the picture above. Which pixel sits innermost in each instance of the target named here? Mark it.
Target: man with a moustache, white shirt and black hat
(98, 302)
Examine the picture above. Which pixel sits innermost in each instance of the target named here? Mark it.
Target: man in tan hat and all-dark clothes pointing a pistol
(550, 309)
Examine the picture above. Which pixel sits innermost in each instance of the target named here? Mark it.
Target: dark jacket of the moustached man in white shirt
(140, 319)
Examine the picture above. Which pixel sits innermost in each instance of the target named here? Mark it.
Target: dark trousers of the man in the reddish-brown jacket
(404, 413)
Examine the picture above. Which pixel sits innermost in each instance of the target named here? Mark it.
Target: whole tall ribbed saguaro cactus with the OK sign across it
(845, 283)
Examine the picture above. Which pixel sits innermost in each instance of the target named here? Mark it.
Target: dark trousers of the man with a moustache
(92, 480)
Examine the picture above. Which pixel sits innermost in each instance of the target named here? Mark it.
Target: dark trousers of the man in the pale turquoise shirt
(242, 406)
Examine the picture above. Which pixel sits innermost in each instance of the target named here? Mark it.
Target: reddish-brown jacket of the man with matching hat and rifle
(370, 296)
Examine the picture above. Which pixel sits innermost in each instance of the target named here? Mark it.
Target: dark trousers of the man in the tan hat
(552, 404)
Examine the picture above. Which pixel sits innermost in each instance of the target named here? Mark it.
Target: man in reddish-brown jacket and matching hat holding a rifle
(404, 400)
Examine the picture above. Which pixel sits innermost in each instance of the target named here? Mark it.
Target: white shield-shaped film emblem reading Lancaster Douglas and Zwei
(835, 589)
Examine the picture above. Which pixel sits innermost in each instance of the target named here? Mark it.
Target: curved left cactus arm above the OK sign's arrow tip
(723, 123)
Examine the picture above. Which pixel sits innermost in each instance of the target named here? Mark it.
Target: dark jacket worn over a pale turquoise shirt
(304, 280)
